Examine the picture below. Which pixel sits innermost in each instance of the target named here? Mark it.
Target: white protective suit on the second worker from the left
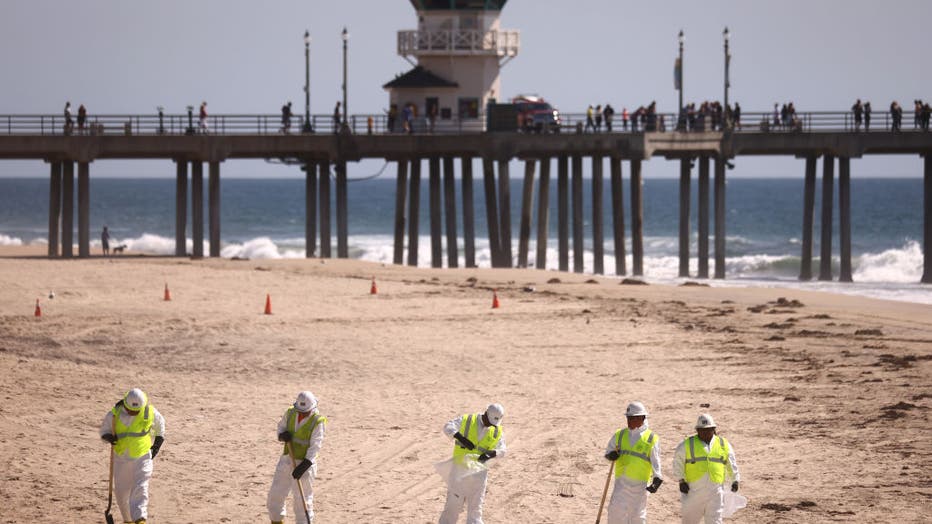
(283, 483)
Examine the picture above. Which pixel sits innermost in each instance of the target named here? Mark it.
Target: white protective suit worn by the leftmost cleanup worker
(131, 476)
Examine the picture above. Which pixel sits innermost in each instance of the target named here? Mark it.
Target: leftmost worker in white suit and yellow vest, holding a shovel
(136, 431)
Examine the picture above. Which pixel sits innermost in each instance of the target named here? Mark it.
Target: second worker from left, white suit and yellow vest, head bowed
(302, 430)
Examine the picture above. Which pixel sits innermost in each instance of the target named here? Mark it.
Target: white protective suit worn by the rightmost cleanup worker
(705, 498)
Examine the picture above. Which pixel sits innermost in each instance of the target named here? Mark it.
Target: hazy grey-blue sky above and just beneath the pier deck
(244, 56)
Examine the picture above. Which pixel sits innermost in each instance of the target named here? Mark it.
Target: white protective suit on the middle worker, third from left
(468, 489)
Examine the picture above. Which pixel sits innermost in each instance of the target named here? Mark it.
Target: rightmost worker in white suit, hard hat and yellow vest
(703, 464)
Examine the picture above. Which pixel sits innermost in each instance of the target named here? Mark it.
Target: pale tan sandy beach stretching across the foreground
(826, 401)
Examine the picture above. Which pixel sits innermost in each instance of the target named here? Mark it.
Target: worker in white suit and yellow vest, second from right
(635, 450)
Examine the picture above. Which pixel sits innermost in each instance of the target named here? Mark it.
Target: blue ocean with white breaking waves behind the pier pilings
(264, 218)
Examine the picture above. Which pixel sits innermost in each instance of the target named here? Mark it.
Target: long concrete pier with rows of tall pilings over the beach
(826, 138)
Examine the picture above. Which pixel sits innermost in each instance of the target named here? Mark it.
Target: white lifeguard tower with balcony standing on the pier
(457, 51)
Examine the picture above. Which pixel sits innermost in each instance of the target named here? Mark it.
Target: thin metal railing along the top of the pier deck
(271, 124)
